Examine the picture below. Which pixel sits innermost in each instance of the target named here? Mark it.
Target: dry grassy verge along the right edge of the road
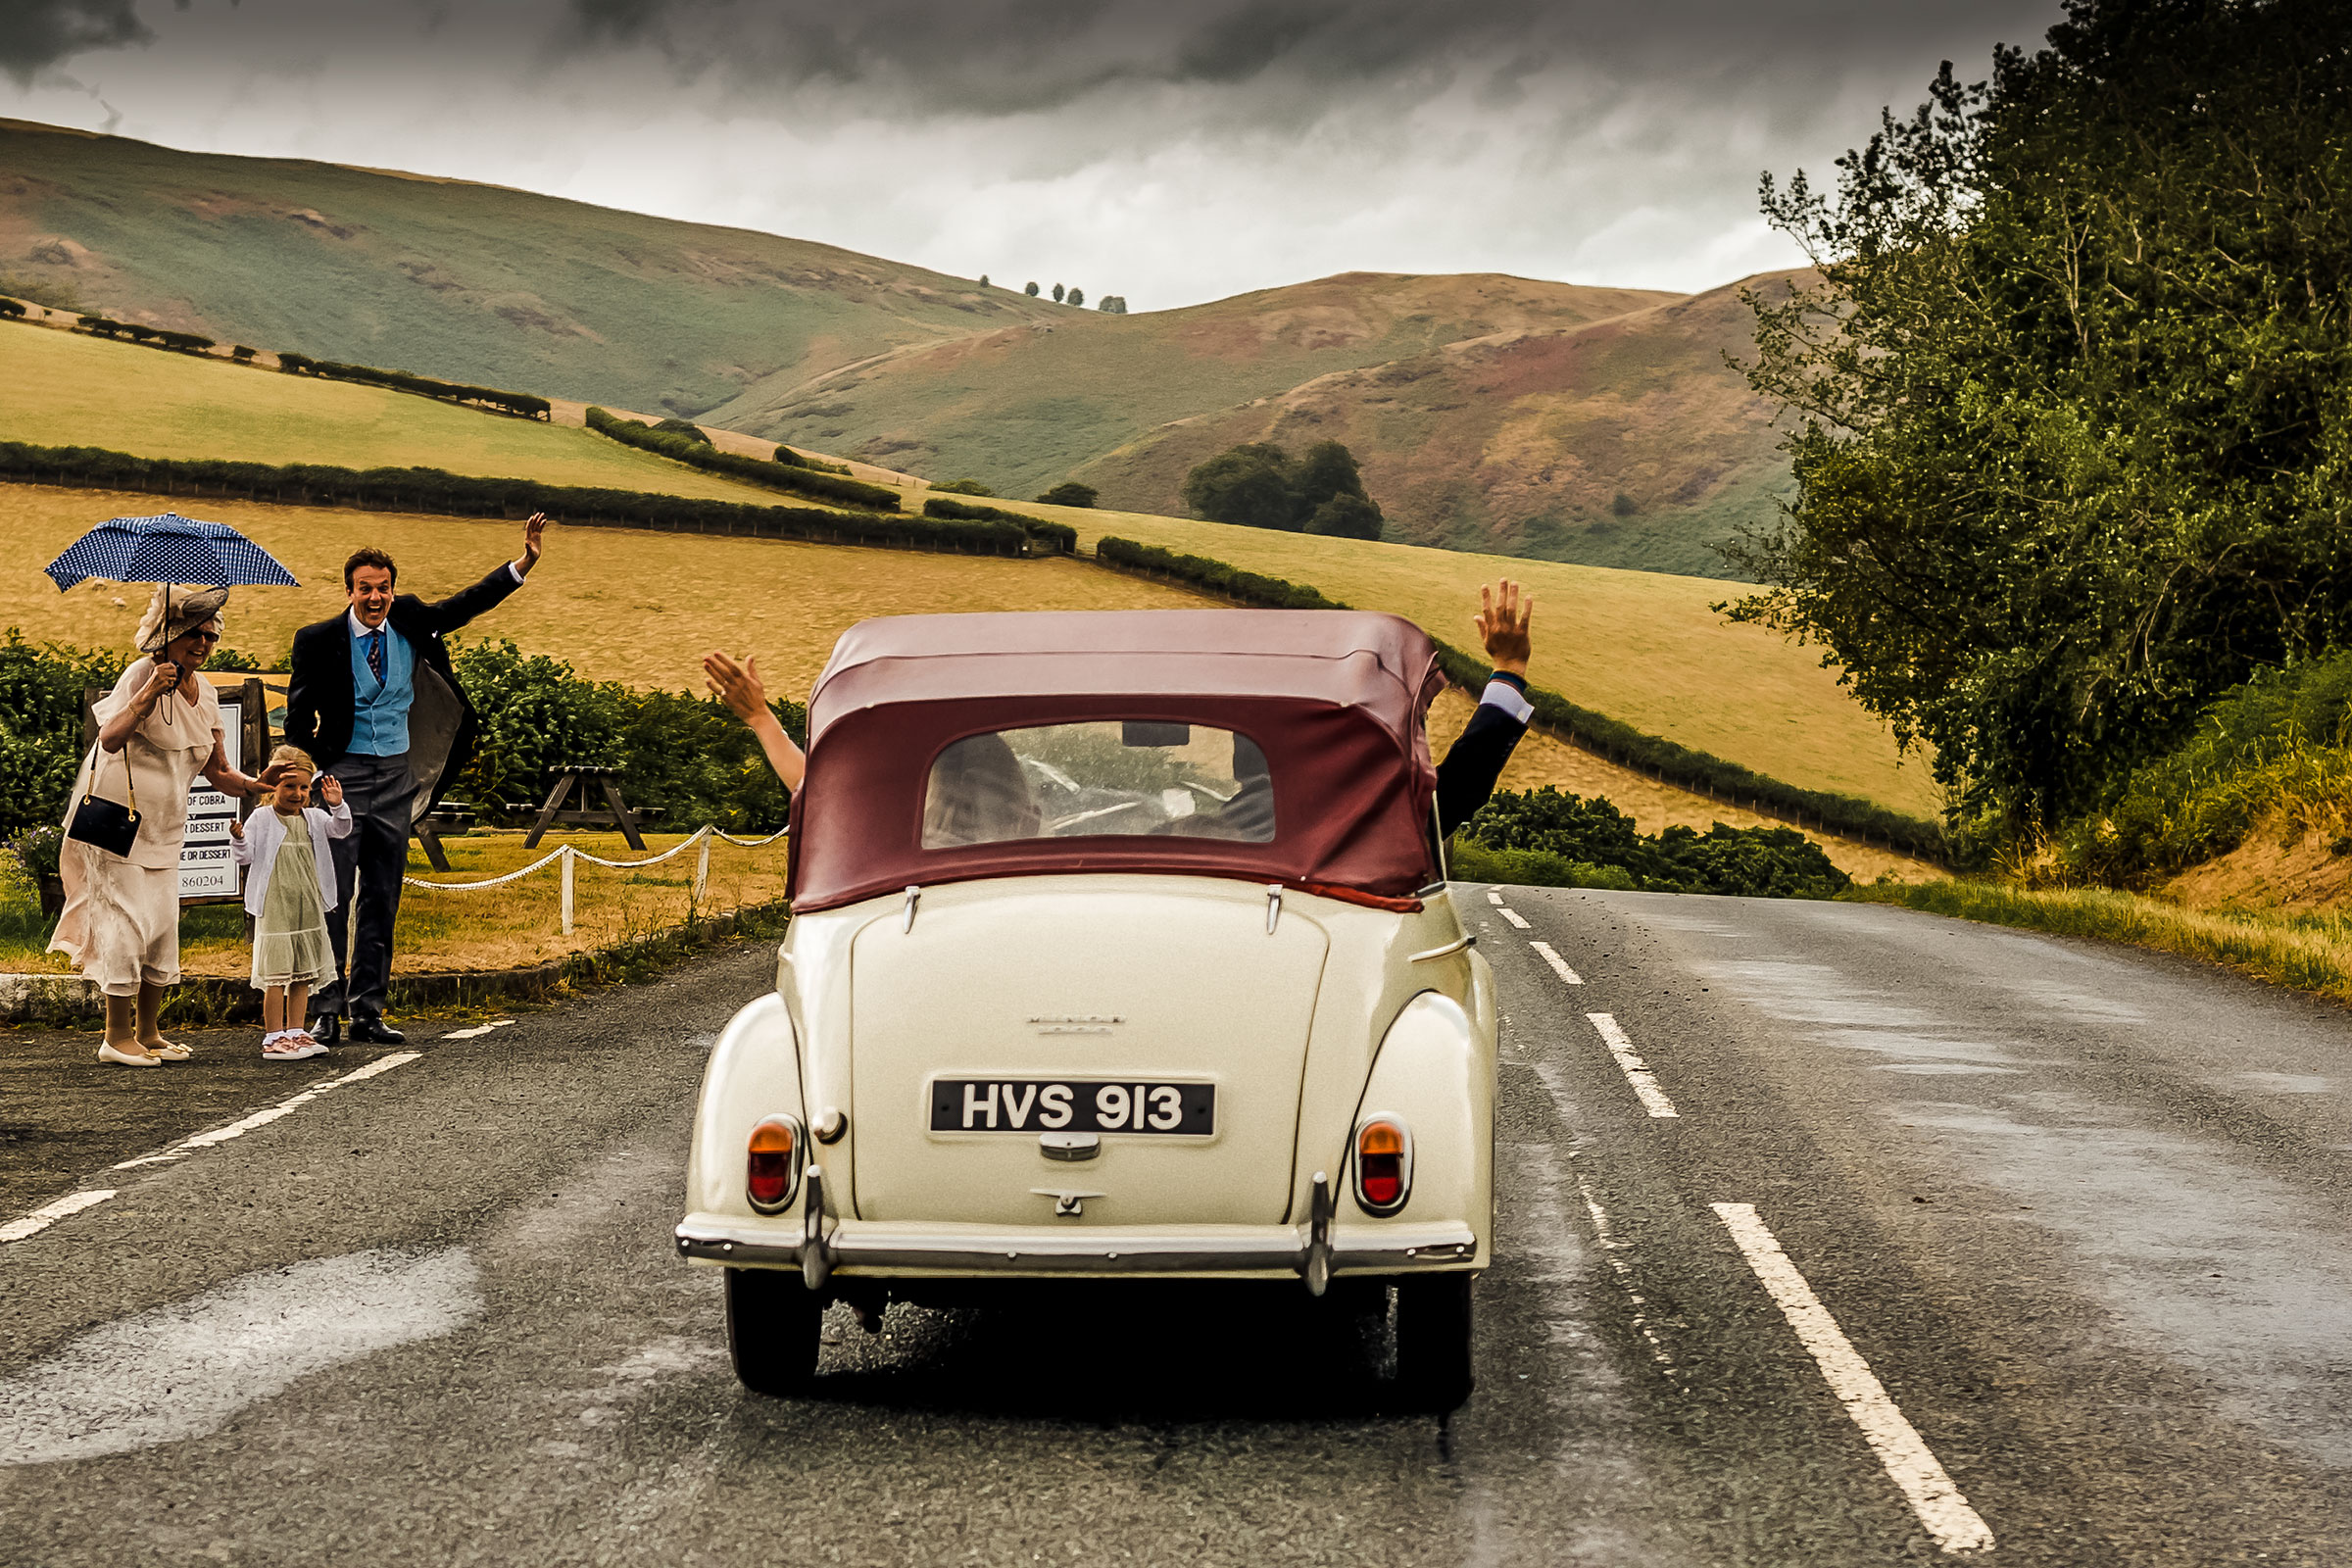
(2304, 953)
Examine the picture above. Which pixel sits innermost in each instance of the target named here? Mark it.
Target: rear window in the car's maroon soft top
(1114, 777)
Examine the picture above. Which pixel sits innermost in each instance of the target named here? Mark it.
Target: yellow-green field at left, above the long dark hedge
(65, 389)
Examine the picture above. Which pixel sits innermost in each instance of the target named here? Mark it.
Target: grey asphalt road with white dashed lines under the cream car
(2062, 1249)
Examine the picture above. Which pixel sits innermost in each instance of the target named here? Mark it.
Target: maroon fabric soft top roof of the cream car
(1335, 699)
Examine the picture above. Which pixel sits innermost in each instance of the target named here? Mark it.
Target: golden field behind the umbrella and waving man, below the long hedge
(617, 603)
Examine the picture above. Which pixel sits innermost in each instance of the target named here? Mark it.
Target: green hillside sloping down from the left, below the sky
(446, 279)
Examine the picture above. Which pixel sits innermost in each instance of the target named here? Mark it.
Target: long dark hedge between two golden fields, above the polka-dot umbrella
(432, 490)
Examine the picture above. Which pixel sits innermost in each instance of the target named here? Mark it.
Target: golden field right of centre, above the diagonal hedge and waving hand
(1636, 645)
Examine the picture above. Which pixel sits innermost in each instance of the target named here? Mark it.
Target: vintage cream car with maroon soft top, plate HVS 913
(1121, 949)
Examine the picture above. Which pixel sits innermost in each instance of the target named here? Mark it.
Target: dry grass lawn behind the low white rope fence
(505, 927)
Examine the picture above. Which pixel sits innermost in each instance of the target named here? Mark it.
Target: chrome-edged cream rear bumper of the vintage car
(1172, 1252)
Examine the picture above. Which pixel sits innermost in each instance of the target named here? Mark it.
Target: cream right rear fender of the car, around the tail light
(1436, 1073)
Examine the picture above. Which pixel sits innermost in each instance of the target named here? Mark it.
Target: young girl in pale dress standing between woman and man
(288, 894)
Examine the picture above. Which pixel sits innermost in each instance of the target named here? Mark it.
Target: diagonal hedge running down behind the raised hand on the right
(1558, 716)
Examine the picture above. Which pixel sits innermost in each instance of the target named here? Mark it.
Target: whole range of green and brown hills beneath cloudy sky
(1490, 413)
